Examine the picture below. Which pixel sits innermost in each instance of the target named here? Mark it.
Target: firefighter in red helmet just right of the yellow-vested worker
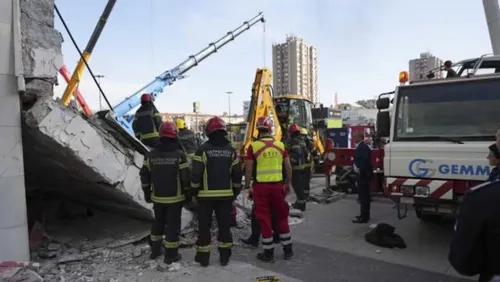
(297, 151)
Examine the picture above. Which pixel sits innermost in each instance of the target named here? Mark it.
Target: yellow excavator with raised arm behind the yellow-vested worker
(282, 110)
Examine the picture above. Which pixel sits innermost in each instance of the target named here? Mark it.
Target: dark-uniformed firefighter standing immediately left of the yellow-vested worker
(216, 177)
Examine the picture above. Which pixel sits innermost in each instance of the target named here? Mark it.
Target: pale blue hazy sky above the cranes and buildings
(362, 45)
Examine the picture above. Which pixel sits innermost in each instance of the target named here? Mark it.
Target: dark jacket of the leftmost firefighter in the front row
(165, 174)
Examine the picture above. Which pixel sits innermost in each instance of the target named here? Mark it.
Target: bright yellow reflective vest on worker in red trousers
(268, 156)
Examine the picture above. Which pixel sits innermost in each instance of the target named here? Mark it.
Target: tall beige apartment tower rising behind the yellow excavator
(295, 69)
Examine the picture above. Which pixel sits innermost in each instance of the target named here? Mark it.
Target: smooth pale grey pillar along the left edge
(13, 221)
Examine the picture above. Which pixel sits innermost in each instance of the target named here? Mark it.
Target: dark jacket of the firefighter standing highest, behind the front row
(147, 121)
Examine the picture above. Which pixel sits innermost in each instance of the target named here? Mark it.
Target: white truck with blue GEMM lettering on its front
(438, 134)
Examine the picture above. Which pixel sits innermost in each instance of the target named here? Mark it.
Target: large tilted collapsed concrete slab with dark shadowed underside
(79, 160)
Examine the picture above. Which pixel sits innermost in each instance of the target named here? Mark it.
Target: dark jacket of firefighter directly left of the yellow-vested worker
(216, 171)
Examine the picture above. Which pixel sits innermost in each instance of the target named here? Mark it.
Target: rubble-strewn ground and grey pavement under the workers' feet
(328, 247)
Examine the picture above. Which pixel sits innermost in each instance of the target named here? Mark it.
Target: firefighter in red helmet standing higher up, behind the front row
(147, 121)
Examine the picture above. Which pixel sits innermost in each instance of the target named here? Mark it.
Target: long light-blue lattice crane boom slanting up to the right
(156, 87)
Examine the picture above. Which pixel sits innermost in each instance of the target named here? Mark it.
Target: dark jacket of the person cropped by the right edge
(475, 248)
